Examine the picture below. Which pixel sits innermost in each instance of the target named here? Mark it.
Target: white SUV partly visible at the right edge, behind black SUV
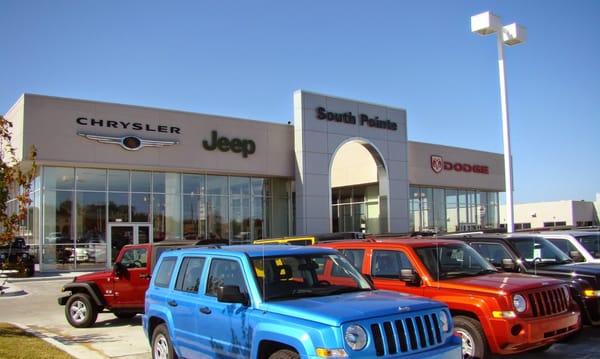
(581, 246)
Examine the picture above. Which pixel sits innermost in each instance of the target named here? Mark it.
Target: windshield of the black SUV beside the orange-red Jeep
(539, 251)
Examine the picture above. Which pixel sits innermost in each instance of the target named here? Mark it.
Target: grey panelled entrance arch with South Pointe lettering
(323, 125)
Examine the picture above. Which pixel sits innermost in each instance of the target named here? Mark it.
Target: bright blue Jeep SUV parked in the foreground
(285, 302)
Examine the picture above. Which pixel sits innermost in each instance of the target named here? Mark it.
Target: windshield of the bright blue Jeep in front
(290, 277)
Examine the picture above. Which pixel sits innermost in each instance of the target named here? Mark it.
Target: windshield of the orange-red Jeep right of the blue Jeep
(446, 261)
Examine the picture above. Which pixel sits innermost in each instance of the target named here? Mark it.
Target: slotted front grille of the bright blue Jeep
(408, 334)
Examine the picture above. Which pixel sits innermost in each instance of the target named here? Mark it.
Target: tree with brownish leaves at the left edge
(15, 183)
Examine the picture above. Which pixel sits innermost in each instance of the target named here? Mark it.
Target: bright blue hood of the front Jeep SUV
(334, 310)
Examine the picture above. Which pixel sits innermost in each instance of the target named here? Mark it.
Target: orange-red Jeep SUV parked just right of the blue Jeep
(498, 312)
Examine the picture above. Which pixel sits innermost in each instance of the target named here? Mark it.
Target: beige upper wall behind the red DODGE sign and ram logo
(421, 173)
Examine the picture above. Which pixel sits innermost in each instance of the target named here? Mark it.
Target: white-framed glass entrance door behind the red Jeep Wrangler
(121, 234)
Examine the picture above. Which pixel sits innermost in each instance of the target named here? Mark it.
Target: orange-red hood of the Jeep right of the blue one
(497, 282)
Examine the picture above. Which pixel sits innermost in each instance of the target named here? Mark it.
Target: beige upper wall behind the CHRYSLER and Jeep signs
(50, 124)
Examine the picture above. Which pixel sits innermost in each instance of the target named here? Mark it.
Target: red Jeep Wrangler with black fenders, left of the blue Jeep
(120, 291)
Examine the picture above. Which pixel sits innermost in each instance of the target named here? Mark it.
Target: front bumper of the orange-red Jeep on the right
(533, 333)
